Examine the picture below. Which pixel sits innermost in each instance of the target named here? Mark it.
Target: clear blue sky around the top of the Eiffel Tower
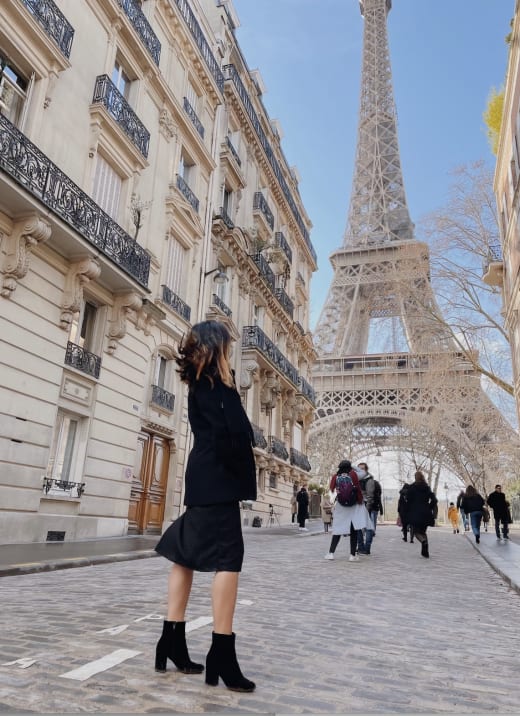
(446, 56)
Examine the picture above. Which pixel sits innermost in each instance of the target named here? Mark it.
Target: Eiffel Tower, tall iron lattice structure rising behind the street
(427, 399)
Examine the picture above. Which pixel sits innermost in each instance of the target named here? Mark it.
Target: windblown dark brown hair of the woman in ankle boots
(205, 351)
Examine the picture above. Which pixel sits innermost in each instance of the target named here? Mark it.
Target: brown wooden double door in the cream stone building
(149, 481)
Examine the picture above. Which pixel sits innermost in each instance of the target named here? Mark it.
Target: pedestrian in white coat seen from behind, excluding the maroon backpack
(347, 520)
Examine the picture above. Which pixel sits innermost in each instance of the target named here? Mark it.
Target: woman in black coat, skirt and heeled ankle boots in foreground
(207, 537)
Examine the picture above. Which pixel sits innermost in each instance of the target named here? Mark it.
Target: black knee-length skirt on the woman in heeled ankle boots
(205, 539)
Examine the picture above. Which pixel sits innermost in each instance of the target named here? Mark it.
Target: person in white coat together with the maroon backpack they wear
(350, 513)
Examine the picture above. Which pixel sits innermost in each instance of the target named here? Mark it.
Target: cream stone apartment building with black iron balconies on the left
(142, 189)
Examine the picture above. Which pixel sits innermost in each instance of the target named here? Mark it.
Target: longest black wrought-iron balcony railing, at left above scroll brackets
(44, 180)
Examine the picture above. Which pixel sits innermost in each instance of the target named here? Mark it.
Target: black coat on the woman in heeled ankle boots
(221, 464)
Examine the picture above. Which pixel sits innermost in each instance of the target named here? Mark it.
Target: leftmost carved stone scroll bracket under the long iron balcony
(26, 234)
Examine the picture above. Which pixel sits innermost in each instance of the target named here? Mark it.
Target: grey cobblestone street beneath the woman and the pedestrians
(394, 633)
